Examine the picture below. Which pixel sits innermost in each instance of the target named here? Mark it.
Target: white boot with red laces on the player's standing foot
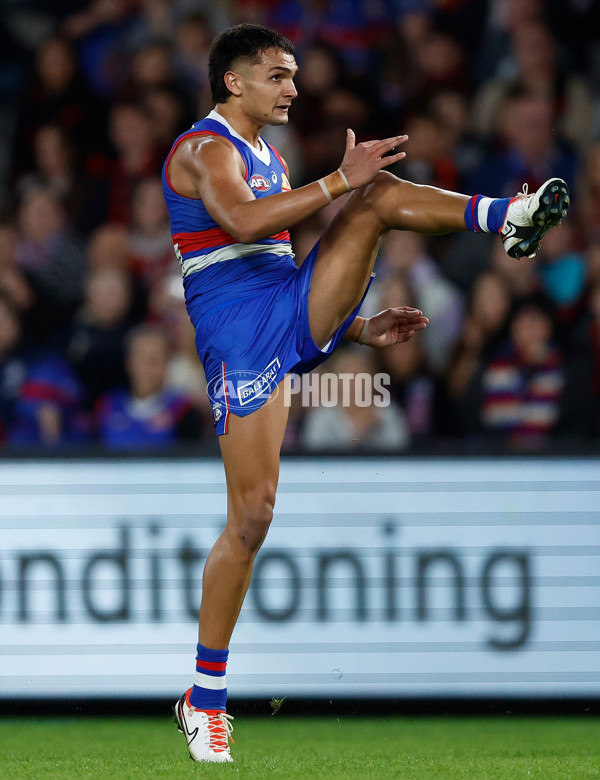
(207, 733)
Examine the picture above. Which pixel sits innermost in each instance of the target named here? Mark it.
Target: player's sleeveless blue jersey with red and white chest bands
(216, 268)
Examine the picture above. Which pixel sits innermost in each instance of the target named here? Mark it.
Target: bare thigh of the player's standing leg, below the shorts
(251, 451)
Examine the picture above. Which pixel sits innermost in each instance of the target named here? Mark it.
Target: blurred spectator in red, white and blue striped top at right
(523, 382)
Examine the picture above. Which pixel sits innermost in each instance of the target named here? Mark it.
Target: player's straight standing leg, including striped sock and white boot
(250, 452)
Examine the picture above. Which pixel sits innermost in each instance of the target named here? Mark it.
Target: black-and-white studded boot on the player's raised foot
(530, 216)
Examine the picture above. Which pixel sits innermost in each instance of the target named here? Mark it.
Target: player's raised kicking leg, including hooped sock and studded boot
(348, 248)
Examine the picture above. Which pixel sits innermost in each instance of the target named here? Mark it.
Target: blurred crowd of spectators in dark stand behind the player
(95, 344)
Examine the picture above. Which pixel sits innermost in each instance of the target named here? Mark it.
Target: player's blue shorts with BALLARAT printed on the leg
(247, 346)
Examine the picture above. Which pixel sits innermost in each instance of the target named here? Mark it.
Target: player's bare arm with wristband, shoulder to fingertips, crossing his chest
(211, 168)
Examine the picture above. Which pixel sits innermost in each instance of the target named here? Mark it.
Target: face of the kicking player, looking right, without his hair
(268, 87)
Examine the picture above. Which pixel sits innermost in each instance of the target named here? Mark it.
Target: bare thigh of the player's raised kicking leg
(345, 259)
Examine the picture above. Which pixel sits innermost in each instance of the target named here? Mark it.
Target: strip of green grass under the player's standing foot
(290, 748)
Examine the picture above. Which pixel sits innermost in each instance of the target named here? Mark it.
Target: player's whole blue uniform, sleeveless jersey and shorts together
(248, 302)
